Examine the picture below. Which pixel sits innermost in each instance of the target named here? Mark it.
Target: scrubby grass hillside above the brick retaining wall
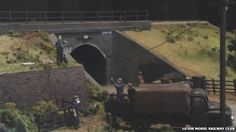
(31, 47)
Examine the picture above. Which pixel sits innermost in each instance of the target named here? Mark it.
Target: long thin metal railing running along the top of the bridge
(45, 16)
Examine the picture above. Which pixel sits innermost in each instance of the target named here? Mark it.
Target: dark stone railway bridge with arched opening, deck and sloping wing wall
(102, 49)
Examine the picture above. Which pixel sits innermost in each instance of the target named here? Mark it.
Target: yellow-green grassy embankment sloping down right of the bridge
(194, 52)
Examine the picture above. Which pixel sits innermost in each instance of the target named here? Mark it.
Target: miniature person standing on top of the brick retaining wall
(60, 50)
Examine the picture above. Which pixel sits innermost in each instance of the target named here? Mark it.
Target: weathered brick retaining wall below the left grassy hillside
(27, 87)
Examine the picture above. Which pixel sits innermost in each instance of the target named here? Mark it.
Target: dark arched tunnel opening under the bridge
(93, 59)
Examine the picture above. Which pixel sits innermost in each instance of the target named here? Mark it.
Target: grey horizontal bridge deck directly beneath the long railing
(73, 26)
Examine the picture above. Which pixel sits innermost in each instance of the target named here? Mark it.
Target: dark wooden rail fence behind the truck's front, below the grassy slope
(214, 86)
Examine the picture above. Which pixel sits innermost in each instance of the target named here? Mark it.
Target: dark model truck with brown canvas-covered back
(172, 103)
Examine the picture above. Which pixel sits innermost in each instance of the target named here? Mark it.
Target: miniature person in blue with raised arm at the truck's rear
(119, 88)
